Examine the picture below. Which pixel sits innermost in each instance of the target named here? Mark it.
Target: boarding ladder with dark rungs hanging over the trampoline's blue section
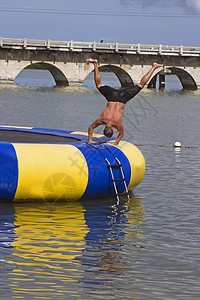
(115, 166)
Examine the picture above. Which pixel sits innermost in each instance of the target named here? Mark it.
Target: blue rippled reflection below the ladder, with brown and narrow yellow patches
(111, 230)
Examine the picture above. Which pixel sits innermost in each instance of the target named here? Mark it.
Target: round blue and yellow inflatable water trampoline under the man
(37, 163)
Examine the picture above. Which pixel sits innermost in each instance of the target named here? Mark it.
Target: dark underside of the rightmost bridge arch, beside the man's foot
(187, 81)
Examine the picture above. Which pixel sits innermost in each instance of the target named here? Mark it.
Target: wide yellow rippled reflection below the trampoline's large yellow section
(49, 238)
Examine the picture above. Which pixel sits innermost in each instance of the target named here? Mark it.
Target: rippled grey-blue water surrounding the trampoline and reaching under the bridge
(95, 249)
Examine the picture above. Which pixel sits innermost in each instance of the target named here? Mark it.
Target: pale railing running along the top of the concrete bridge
(31, 44)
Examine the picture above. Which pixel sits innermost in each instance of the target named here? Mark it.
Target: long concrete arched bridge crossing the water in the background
(66, 61)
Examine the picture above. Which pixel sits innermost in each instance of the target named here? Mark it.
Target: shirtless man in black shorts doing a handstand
(113, 113)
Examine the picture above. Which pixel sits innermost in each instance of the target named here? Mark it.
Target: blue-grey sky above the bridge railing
(167, 22)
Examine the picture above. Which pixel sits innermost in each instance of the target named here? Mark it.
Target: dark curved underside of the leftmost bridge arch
(57, 74)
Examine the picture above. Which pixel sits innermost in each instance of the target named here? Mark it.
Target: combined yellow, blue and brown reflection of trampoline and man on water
(62, 249)
